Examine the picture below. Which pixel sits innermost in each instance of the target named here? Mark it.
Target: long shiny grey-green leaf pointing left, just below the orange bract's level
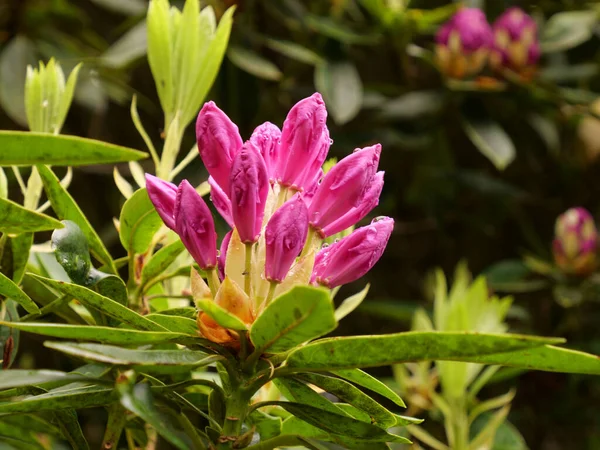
(144, 360)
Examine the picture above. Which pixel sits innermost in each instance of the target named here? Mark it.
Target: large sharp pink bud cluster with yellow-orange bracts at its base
(271, 190)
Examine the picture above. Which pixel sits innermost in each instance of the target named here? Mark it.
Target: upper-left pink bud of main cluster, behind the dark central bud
(218, 142)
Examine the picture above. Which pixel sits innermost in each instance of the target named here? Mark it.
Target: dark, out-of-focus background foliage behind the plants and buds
(476, 170)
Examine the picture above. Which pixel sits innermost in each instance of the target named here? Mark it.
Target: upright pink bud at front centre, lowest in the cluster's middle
(285, 235)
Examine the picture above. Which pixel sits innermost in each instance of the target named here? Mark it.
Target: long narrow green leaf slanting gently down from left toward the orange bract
(101, 303)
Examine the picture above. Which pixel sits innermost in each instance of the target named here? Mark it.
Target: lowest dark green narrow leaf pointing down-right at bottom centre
(338, 424)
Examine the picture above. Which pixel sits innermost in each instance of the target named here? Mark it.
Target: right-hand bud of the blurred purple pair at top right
(516, 45)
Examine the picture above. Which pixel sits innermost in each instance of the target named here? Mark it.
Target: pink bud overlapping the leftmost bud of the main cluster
(195, 226)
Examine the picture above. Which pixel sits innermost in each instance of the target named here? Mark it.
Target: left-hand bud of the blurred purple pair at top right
(463, 43)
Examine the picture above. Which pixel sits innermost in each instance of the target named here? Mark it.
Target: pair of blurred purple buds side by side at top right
(467, 42)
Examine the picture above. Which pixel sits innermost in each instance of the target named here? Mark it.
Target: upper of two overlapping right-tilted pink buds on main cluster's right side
(344, 187)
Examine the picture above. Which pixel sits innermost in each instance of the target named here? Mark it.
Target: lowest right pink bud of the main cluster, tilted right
(353, 256)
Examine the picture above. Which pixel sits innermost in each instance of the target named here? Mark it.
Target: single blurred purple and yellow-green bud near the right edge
(575, 242)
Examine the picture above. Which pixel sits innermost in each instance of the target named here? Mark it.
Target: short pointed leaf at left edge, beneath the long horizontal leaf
(14, 219)
